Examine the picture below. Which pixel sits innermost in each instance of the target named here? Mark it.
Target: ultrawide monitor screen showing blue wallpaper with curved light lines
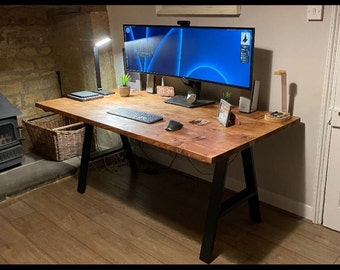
(222, 55)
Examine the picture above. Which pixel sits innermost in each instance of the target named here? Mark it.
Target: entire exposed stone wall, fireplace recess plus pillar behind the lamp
(36, 45)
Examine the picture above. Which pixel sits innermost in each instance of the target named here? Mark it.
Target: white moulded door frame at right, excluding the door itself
(329, 91)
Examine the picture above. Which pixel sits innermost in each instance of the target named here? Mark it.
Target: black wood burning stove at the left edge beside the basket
(11, 152)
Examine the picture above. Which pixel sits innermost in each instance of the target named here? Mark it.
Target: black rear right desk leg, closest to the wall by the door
(250, 179)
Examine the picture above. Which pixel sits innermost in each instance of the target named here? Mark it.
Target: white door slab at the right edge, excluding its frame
(331, 215)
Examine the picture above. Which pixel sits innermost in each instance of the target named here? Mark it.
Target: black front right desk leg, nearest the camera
(213, 211)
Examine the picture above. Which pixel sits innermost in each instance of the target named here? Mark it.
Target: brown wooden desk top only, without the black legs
(207, 143)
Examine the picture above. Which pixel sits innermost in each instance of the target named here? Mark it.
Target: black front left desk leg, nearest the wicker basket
(85, 158)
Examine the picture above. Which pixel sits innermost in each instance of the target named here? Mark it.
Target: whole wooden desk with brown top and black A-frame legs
(211, 143)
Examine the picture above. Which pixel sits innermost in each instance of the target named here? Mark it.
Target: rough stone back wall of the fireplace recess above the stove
(27, 64)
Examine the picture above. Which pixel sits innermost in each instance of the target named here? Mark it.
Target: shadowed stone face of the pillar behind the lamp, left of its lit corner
(73, 49)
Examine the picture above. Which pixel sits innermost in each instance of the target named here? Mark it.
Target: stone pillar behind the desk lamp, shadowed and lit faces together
(74, 38)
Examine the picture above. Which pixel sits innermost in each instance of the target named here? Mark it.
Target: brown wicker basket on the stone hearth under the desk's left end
(56, 137)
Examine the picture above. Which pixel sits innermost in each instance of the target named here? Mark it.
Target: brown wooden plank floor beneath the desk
(148, 219)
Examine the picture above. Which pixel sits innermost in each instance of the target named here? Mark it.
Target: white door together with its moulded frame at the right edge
(327, 196)
